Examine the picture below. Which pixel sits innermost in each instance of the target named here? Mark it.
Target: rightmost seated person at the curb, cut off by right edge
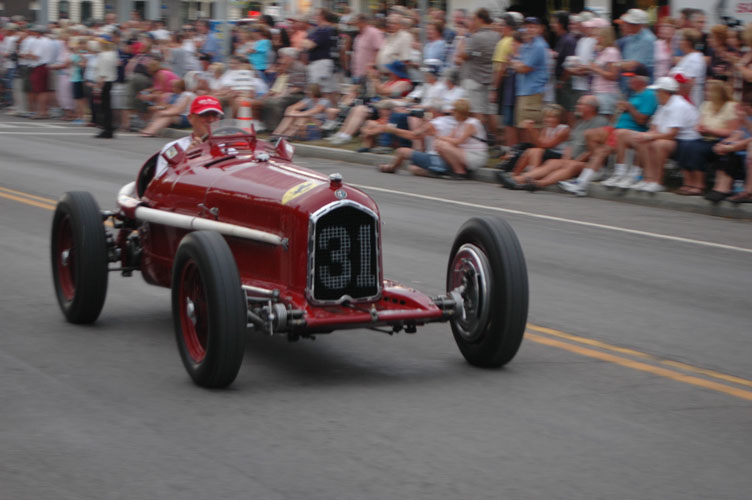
(733, 153)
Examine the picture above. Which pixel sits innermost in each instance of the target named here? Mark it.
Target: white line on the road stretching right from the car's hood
(561, 219)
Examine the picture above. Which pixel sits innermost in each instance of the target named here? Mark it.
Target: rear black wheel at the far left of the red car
(79, 257)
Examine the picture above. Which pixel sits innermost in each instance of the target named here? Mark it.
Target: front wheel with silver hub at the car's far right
(490, 331)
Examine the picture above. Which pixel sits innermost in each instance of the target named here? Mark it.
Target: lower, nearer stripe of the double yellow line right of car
(643, 367)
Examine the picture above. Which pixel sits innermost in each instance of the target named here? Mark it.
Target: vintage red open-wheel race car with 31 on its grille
(247, 239)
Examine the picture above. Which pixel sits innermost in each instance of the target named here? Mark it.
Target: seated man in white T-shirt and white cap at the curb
(674, 123)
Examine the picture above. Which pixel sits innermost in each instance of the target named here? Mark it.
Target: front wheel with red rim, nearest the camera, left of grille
(208, 309)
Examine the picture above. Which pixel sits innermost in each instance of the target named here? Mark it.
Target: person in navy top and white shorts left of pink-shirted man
(319, 45)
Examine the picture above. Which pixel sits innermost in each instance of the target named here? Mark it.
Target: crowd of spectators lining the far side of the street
(557, 100)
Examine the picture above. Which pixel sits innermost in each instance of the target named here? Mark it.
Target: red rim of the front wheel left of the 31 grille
(193, 312)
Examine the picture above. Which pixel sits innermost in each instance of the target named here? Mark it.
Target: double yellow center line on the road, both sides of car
(629, 358)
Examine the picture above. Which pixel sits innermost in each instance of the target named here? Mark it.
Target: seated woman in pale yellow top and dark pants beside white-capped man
(718, 120)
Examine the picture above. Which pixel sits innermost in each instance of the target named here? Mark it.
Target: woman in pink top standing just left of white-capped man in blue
(605, 85)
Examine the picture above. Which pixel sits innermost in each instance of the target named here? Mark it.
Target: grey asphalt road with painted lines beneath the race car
(634, 380)
